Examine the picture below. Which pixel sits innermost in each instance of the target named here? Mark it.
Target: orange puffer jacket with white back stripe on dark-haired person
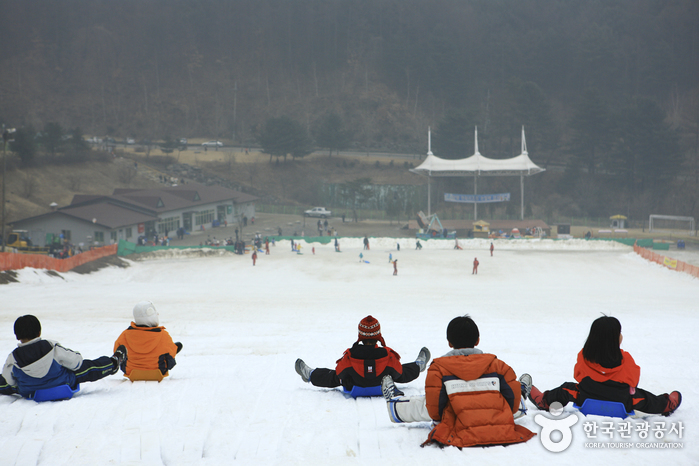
(473, 412)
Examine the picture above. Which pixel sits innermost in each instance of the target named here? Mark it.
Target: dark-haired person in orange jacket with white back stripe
(471, 395)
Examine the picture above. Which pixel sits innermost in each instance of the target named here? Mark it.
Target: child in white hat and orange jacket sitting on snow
(149, 345)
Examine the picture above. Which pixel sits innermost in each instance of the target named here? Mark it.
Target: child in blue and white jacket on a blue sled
(38, 364)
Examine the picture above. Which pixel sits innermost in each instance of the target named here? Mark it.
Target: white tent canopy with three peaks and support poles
(477, 165)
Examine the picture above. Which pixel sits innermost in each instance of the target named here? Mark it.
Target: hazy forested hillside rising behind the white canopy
(608, 90)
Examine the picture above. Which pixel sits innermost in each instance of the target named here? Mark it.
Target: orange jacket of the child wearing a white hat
(144, 346)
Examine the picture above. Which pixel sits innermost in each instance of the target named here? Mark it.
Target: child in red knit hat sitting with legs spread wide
(365, 363)
